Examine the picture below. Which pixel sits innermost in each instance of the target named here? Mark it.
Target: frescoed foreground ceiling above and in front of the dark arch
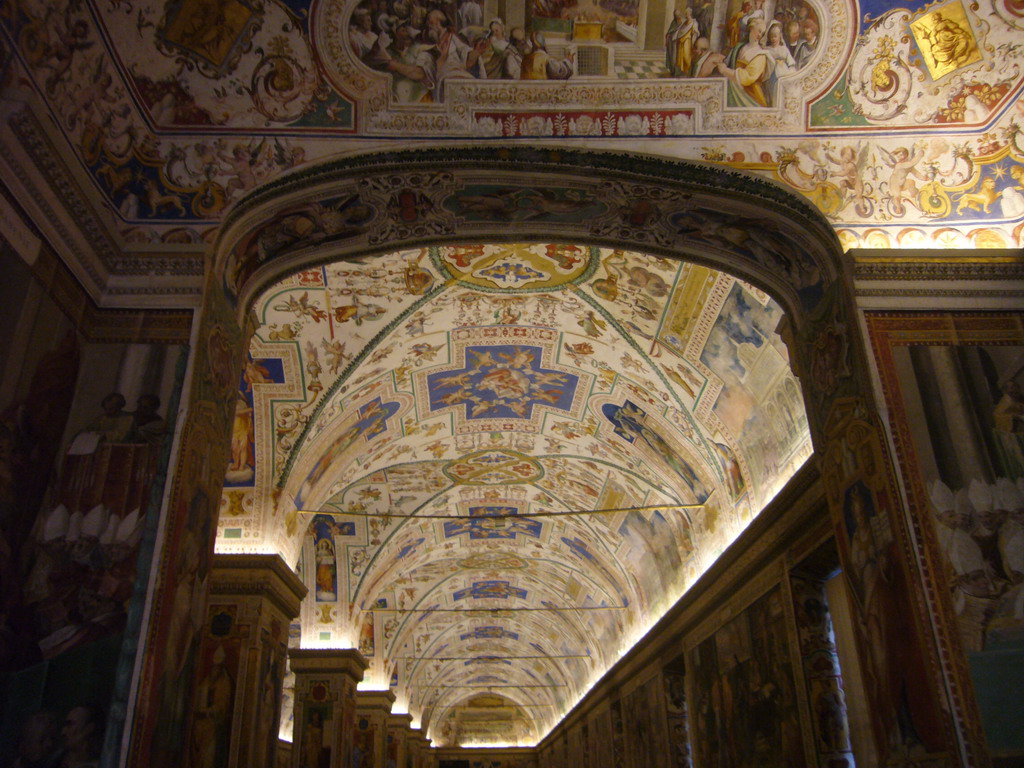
(902, 122)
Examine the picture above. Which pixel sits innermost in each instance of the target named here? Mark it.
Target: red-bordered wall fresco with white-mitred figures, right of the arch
(953, 386)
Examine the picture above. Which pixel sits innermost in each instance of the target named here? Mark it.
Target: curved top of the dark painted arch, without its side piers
(372, 204)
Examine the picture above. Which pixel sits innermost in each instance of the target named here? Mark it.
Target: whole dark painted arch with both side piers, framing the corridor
(371, 205)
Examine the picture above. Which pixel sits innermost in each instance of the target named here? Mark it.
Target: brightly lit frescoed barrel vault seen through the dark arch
(499, 465)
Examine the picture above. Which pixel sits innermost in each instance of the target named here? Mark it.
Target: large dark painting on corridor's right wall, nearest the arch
(744, 700)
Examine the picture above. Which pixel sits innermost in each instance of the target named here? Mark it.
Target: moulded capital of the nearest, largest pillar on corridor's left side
(263, 576)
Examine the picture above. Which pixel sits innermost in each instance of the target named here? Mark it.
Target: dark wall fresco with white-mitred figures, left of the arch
(76, 480)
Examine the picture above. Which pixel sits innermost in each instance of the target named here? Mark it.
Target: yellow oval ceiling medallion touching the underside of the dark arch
(519, 268)
